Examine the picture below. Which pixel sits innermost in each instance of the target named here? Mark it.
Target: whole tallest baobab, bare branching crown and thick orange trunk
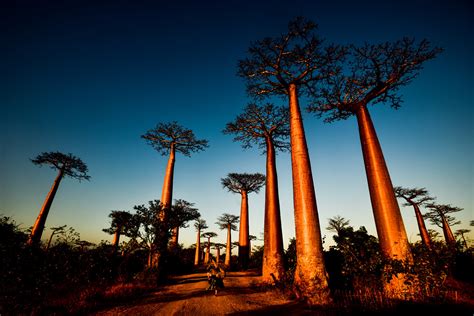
(292, 65)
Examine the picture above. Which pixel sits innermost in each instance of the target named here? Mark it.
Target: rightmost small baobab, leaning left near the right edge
(439, 216)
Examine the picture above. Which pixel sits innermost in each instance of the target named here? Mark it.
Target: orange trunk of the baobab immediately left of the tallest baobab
(273, 261)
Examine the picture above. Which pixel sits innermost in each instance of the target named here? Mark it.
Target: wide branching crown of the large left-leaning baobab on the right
(374, 74)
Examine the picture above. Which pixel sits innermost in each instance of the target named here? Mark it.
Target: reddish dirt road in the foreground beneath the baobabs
(188, 296)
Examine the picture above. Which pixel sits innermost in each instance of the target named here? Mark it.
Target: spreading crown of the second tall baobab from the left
(166, 136)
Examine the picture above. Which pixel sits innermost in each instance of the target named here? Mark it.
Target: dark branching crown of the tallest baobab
(295, 57)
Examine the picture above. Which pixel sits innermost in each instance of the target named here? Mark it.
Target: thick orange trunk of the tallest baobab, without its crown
(311, 278)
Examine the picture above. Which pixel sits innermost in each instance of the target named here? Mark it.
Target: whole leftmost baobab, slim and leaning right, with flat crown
(67, 166)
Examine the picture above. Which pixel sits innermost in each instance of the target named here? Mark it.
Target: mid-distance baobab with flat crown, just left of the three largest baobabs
(244, 183)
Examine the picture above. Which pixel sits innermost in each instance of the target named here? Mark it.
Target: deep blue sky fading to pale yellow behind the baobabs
(90, 77)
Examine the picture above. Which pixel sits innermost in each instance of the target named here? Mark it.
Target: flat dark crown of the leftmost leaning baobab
(71, 165)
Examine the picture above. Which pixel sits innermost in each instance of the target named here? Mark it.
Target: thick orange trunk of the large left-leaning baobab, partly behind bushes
(388, 219)
